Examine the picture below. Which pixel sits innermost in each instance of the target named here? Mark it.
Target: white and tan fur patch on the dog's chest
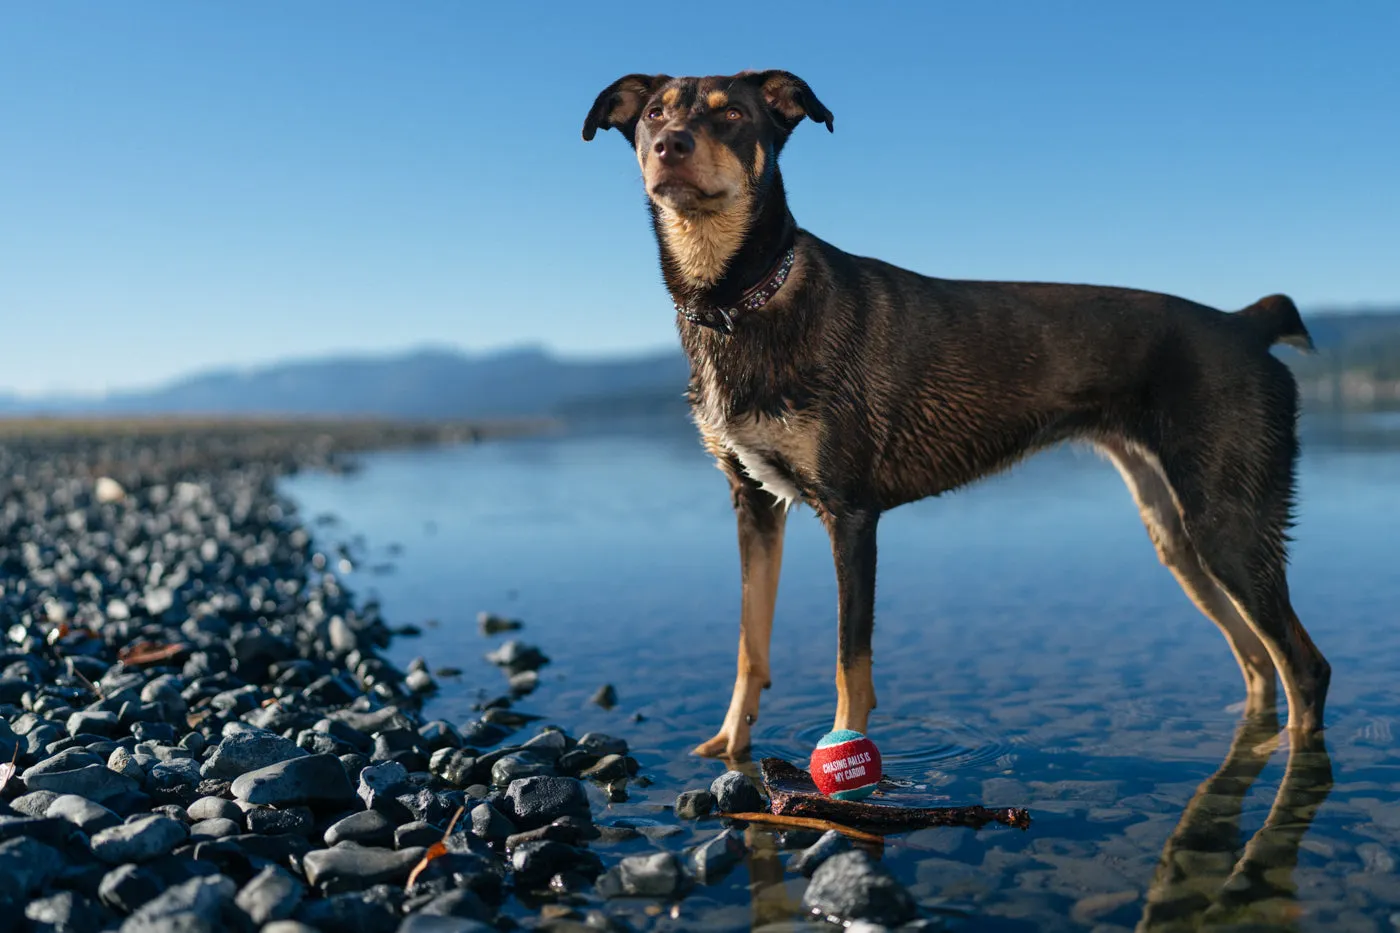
(776, 449)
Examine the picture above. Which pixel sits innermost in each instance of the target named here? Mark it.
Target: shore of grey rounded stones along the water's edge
(202, 731)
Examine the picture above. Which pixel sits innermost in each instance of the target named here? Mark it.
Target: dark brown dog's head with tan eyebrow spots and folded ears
(706, 145)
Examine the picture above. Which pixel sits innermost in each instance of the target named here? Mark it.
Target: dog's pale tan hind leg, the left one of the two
(1161, 513)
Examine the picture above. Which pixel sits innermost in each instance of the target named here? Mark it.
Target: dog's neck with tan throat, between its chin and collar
(712, 260)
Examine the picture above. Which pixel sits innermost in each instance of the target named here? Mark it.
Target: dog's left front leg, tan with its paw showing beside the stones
(762, 522)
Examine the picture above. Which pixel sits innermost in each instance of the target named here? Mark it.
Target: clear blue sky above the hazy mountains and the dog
(197, 184)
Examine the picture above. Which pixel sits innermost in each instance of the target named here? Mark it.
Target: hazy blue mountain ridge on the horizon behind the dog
(1359, 362)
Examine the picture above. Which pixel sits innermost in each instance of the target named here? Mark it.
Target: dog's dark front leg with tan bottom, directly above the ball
(853, 547)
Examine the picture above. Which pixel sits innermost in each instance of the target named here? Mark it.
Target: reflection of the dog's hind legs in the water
(1206, 878)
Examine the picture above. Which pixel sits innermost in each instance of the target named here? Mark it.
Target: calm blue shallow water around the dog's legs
(1030, 651)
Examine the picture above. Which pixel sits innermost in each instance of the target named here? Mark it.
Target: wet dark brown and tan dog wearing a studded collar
(855, 386)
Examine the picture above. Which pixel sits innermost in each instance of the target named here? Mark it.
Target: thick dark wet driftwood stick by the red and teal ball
(793, 794)
